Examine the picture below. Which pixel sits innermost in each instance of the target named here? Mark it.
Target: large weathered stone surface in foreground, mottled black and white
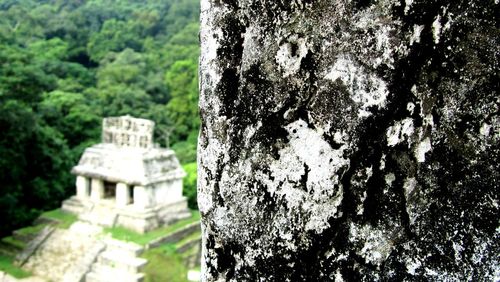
(354, 140)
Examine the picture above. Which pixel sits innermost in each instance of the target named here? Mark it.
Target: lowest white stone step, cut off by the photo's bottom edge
(102, 273)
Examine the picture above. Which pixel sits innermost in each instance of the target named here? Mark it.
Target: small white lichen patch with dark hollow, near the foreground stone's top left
(290, 55)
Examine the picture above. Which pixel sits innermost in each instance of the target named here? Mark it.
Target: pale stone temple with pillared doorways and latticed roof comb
(127, 181)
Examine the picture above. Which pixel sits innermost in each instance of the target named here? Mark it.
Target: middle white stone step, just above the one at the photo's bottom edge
(117, 260)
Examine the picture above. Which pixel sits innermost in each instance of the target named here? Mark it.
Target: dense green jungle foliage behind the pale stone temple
(66, 64)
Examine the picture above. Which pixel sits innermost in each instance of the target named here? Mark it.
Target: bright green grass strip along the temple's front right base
(124, 234)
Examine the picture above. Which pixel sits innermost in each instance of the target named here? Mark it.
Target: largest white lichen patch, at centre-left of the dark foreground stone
(309, 158)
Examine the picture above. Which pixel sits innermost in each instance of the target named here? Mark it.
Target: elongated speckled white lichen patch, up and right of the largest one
(365, 89)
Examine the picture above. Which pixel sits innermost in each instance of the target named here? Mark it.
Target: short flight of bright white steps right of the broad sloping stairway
(119, 262)
